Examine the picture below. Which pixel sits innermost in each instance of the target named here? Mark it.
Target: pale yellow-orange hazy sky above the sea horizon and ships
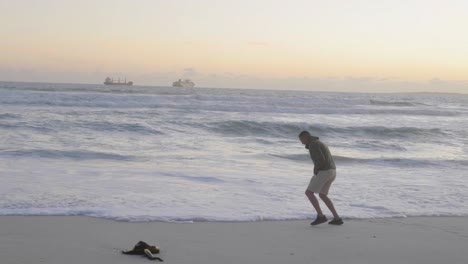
(346, 45)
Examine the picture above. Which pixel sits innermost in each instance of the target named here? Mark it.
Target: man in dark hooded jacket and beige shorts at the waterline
(324, 175)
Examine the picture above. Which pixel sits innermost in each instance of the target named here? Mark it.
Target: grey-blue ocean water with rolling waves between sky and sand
(174, 154)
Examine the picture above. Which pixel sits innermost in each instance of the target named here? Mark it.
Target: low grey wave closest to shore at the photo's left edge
(63, 154)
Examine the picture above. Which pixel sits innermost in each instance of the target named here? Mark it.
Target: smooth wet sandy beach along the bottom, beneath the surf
(75, 239)
